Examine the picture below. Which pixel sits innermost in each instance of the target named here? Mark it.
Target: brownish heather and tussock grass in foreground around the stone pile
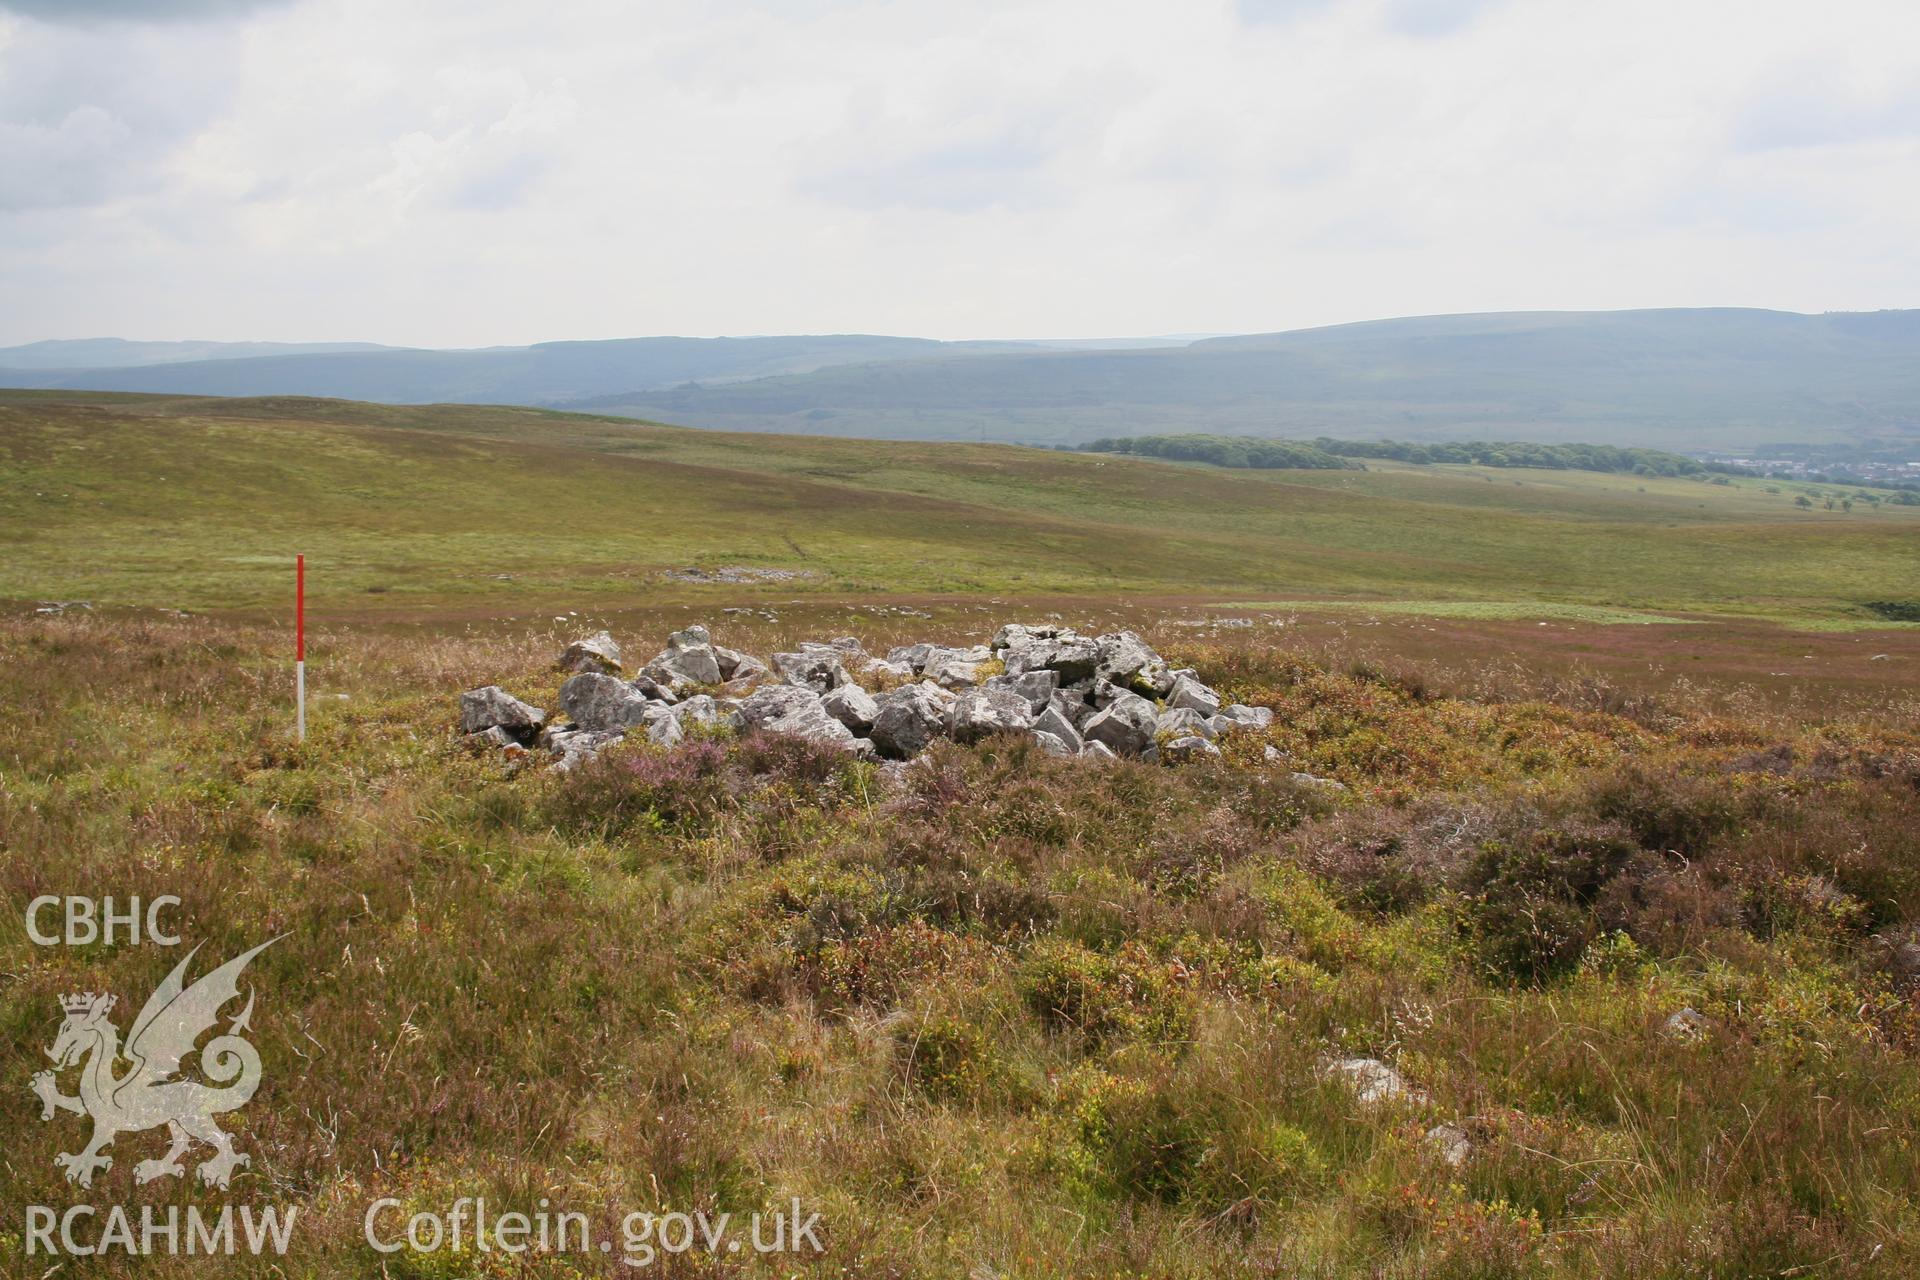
(1007, 1014)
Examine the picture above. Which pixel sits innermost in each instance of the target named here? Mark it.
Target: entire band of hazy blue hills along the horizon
(1683, 379)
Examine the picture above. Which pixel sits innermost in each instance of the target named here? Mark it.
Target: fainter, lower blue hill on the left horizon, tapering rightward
(537, 375)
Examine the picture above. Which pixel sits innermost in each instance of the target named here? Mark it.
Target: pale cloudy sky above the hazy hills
(494, 172)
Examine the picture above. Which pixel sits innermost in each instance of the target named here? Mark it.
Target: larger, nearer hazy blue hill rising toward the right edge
(1650, 379)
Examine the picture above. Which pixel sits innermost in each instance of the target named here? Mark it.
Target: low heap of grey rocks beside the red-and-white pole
(1076, 696)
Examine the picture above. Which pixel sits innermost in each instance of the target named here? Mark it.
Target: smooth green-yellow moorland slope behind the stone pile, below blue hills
(197, 504)
